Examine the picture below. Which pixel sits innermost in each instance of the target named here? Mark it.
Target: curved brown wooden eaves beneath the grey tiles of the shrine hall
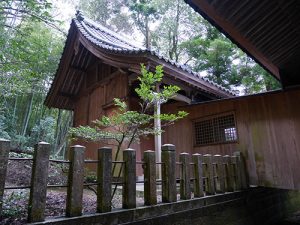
(80, 53)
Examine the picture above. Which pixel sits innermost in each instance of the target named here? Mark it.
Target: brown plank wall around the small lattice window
(268, 127)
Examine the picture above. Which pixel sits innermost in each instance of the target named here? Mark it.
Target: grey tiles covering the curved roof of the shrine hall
(112, 41)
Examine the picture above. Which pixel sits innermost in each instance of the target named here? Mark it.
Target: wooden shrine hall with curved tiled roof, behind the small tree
(98, 65)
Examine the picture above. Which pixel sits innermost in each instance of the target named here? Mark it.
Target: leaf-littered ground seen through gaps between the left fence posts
(15, 202)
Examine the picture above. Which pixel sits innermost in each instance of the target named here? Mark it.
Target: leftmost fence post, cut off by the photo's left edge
(4, 153)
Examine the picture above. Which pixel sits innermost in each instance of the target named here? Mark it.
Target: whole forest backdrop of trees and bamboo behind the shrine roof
(32, 39)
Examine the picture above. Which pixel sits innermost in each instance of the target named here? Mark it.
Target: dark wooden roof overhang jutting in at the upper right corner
(269, 31)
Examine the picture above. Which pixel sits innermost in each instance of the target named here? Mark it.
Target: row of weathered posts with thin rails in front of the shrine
(199, 174)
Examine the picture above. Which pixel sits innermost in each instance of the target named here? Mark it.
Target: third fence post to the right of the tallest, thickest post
(209, 174)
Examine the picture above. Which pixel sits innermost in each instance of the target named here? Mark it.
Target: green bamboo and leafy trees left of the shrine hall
(30, 46)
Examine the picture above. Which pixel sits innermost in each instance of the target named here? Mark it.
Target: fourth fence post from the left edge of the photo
(104, 179)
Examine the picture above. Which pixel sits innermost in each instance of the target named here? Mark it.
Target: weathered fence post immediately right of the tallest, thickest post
(185, 181)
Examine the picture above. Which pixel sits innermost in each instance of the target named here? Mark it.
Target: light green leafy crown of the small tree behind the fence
(124, 126)
